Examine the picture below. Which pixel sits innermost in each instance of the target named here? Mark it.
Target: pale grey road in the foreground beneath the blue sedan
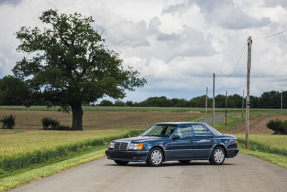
(242, 173)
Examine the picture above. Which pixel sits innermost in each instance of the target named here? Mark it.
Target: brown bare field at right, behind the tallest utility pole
(257, 125)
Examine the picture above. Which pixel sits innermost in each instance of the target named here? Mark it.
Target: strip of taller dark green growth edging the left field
(23, 160)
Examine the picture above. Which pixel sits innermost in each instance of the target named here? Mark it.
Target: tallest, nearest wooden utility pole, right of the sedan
(248, 92)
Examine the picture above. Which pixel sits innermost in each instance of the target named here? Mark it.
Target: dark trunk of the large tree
(77, 111)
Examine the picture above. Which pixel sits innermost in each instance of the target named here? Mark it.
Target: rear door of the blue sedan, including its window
(204, 141)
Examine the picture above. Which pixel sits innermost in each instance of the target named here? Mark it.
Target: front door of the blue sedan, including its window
(183, 147)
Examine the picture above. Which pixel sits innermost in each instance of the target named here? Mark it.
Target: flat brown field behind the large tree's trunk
(98, 119)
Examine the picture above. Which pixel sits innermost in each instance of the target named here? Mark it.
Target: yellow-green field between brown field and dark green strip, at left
(22, 141)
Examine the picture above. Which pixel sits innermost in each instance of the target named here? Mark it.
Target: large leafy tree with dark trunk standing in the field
(71, 64)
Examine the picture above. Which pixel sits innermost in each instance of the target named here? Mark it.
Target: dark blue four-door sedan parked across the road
(174, 141)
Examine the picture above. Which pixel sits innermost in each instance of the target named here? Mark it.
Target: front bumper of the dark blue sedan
(127, 155)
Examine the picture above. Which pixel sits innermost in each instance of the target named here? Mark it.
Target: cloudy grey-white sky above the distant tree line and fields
(175, 45)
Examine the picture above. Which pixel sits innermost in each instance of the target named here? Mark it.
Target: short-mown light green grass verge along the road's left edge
(23, 176)
